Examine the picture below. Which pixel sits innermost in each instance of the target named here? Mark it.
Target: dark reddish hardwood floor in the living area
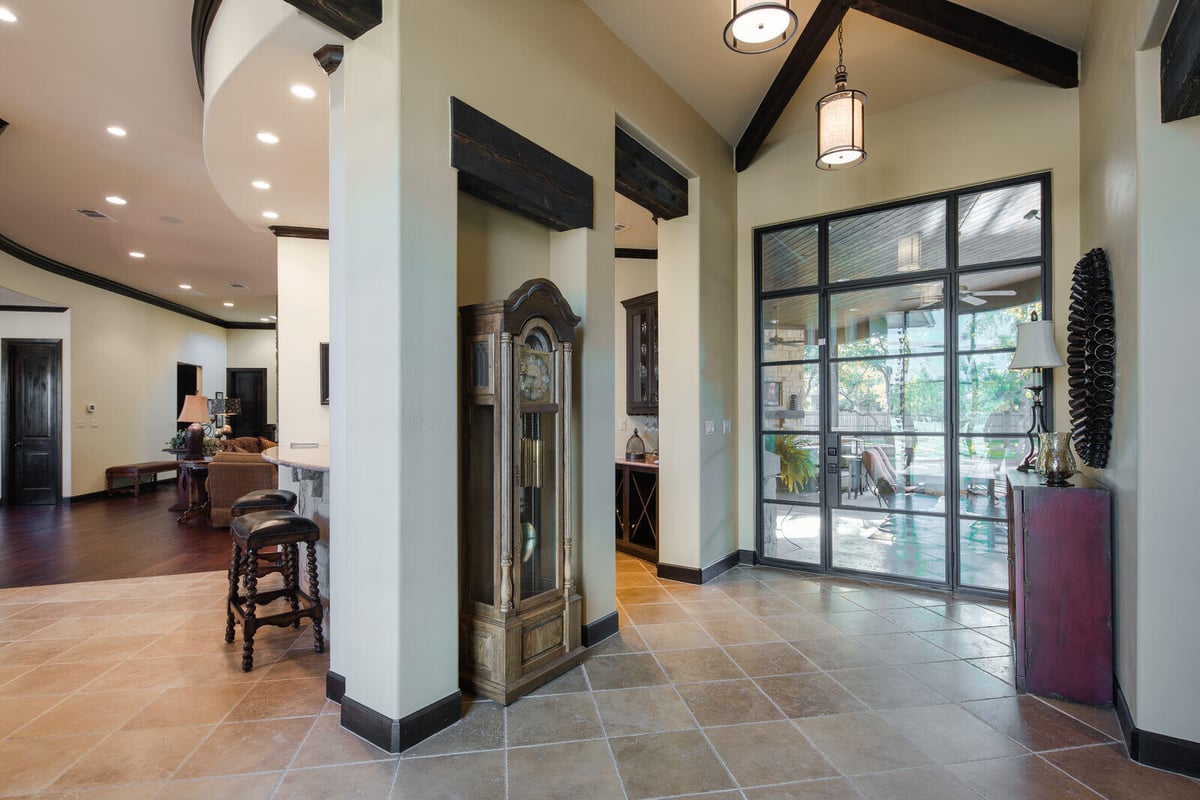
(105, 539)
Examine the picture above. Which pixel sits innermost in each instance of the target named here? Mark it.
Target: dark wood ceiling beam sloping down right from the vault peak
(981, 35)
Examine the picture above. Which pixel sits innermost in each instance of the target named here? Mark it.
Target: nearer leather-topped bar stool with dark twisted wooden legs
(251, 533)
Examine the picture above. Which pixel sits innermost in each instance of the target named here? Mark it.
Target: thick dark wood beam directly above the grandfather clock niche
(502, 167)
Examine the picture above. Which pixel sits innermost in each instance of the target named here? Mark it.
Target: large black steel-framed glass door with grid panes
(887, 416)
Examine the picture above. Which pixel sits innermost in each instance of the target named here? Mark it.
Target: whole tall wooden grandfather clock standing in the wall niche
(520, 612)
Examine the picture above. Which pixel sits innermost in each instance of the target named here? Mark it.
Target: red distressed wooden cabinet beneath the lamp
(1060, 570)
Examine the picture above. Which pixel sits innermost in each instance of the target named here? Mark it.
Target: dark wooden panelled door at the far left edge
(33, 440)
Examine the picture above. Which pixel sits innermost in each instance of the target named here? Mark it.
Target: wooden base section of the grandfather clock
(505, 659)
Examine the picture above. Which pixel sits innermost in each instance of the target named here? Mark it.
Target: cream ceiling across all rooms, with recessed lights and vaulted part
(70, 69)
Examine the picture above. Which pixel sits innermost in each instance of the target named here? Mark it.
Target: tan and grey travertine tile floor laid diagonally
(760, 685)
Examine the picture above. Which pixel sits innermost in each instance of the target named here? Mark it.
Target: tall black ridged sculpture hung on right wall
(1091, 356)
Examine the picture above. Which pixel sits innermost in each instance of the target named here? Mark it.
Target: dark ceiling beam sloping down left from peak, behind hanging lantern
(821, 26)
